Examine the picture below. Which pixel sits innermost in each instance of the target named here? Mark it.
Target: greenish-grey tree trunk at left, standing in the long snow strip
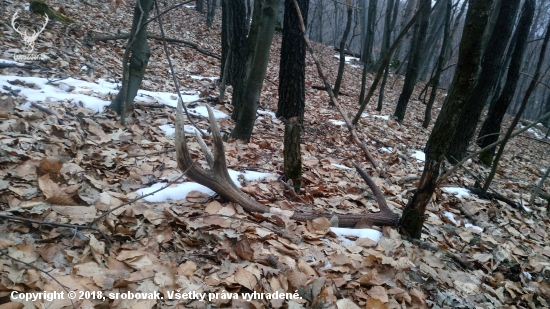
(137, 53)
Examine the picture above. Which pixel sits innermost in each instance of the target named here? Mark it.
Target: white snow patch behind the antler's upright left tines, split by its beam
(180, 191)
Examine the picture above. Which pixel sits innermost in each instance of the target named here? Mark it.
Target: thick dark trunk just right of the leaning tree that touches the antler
(488, 79)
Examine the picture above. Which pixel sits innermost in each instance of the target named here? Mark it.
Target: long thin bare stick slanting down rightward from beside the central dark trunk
(330, 93)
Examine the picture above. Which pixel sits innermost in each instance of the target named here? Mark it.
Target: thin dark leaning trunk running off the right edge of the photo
(532, 85)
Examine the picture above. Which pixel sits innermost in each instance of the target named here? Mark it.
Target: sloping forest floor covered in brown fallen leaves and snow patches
(180, 244)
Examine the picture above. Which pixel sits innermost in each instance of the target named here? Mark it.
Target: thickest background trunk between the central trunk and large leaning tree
(417, 44)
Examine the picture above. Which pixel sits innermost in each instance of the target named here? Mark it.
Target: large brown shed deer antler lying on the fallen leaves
(217, 178)
